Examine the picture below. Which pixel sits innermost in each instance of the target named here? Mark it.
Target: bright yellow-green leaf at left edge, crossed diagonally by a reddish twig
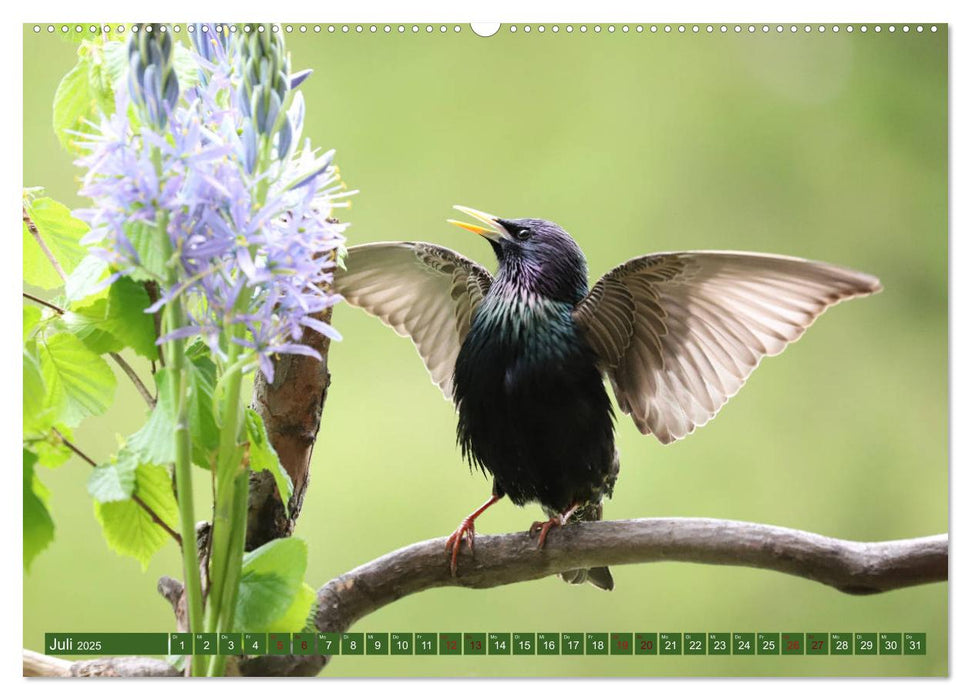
(61, 233)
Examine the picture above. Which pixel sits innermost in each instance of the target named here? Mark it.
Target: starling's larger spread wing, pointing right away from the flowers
(679, 333)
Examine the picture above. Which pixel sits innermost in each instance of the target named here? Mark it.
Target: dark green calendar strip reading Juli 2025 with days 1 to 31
(766, 644)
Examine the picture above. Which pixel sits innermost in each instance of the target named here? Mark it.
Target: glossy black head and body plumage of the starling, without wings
(533, 410)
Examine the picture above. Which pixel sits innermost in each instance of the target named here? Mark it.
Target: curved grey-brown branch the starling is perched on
(851, 567)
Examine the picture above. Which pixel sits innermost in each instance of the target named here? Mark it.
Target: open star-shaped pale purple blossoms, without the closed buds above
(263, 269)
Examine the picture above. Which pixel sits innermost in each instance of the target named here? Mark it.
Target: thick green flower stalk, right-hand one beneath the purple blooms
(228, 466)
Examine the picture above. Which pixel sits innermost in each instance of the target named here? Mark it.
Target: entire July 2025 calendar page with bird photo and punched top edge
(547, 349)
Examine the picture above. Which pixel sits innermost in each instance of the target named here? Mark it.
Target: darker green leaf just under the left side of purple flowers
(117, 322)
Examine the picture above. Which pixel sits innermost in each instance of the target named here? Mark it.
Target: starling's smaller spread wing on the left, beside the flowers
(422, 291)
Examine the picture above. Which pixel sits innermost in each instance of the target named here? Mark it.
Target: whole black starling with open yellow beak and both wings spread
(523, 353)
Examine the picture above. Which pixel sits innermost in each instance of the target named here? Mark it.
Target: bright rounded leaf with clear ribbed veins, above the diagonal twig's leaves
(78, 382)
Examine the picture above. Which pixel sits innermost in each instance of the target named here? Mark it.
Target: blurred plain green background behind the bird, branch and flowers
(832, 147)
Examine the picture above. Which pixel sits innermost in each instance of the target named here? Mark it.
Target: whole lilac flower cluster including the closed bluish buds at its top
(246, 209)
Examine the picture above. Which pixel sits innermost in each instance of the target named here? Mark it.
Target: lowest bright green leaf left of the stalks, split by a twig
(128, 528)
